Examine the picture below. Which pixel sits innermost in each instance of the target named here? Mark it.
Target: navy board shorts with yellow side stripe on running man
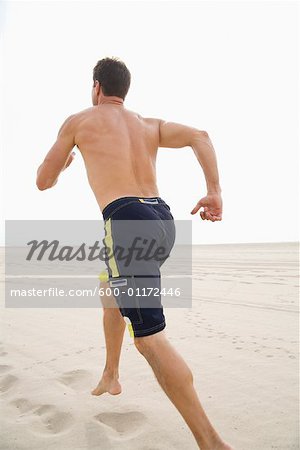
(139, 236)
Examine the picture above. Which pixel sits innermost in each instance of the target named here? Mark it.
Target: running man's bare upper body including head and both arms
(119, 147)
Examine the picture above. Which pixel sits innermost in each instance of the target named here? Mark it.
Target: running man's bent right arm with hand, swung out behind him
(175, 135)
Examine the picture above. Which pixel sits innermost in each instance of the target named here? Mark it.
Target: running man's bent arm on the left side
(59, 156)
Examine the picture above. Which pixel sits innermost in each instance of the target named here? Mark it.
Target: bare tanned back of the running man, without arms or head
(119, 148)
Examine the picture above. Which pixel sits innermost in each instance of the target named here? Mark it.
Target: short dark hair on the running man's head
(113, 76)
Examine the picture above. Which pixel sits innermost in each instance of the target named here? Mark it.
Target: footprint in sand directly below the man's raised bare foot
(127, 424)
